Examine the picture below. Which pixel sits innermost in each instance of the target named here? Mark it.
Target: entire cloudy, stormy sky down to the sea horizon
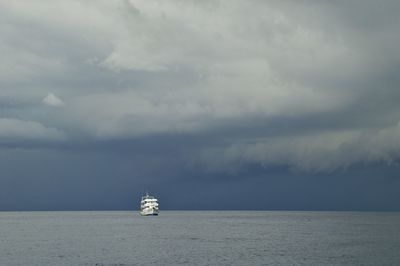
(214, 104)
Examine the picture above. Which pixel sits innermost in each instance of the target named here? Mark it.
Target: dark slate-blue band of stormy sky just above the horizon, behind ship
(51, 180)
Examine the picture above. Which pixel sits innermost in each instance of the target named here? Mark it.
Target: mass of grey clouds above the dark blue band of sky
(307, 86)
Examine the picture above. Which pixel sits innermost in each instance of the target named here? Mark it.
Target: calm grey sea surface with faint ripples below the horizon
(199, 238)
